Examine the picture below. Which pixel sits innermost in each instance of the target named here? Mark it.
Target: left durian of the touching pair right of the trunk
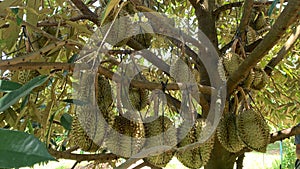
(227, 134)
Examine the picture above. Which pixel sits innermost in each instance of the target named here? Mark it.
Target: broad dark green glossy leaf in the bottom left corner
(19, 149)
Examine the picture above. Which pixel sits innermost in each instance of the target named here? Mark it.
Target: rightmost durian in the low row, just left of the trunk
(197, 157)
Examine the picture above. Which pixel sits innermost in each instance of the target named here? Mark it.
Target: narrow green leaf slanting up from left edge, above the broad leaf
(11, 98)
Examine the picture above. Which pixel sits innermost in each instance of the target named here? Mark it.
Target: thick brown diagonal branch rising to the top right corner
(286, 18)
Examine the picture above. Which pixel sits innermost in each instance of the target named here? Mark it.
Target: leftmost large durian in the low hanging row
(87, 130)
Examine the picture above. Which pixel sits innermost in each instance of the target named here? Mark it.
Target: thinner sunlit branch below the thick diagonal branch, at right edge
(283, 51)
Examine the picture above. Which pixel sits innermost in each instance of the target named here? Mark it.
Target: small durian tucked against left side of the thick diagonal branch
(231, 62)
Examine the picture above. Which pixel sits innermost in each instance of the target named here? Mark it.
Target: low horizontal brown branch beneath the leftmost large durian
(103, 158)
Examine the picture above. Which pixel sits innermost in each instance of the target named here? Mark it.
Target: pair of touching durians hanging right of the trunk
(247, 128)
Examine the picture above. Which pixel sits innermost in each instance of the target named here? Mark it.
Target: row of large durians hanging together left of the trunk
(129, 134)
